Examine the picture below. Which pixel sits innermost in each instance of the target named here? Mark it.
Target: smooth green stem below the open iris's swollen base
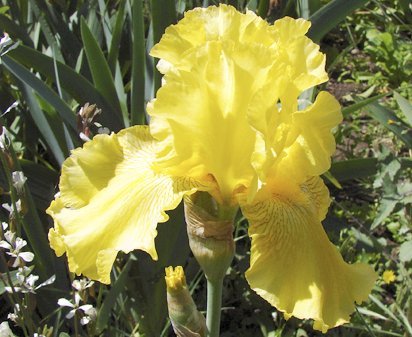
(214, 305)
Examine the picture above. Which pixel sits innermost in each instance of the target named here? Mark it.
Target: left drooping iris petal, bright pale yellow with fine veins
(111, 200)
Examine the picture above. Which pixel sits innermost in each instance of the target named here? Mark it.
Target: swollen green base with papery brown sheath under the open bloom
(210, 231)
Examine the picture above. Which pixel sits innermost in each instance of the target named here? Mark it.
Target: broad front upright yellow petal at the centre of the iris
(208, 106)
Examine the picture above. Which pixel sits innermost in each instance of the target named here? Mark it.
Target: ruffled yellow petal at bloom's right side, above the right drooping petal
(295, 145)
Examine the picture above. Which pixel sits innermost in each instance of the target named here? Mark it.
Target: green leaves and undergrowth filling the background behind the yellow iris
(70, 53)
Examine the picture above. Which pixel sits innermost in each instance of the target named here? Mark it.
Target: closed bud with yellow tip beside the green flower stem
(186, 320)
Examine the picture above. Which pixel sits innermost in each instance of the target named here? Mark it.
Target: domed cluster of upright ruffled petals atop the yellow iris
(231, 85)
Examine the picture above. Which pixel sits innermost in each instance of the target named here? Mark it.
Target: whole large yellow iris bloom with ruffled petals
(227, 121)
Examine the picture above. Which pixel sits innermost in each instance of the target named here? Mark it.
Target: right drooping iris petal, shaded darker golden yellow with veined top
(293, 264)
